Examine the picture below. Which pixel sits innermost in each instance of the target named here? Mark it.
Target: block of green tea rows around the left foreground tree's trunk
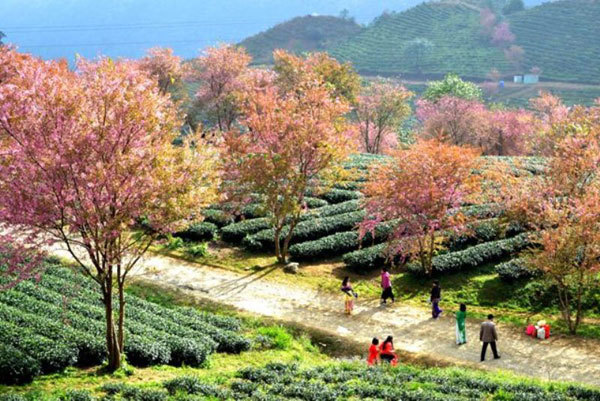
(60, 322)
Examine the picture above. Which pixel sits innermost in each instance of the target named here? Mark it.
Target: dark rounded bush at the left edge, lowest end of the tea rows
(16, 367)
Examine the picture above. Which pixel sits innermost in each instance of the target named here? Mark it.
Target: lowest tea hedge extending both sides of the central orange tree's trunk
(305, 230)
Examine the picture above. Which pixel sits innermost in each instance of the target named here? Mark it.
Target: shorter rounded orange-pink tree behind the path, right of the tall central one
(421, 190)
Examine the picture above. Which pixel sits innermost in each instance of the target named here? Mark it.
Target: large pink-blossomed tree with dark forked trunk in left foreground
(85, 155)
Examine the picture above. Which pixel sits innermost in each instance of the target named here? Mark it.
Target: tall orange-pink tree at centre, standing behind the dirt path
(290, 137)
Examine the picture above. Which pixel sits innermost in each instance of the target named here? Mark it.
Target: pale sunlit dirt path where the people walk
(564, 359)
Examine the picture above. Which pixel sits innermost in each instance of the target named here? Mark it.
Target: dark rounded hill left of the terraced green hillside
(301, 34)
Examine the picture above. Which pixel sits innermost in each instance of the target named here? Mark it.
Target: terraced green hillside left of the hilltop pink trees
(452, 29)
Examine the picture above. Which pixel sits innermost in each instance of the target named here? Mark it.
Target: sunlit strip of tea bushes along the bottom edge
(341, 381)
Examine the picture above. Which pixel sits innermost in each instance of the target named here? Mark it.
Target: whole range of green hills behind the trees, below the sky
(561, 38)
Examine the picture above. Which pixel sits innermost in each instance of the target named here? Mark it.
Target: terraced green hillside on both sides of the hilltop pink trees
(562, 38)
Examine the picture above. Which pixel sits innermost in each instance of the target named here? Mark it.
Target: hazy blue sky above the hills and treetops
(127, 28)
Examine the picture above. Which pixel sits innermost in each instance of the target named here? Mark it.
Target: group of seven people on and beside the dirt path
(487, 334)
